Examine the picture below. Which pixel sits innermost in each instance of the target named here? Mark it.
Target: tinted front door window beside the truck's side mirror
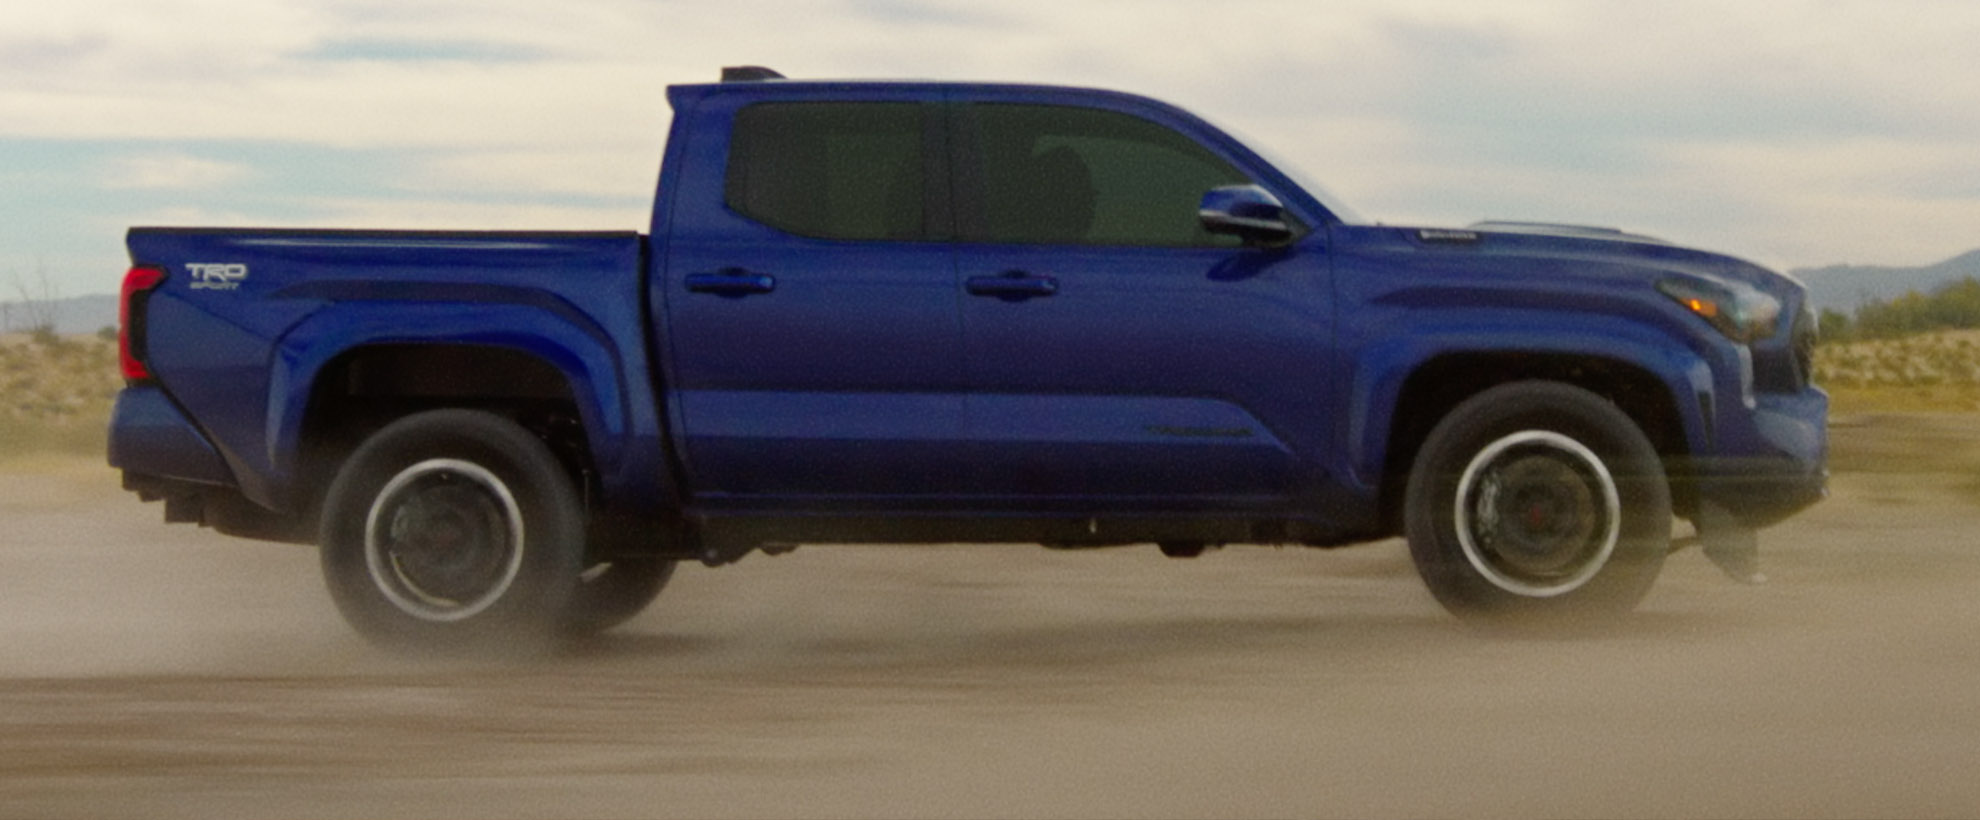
(1066, 175)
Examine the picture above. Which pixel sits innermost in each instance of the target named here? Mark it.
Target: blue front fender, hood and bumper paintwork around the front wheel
(1561, 294)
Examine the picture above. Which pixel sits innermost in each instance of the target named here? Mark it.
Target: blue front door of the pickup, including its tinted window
(1116, 350)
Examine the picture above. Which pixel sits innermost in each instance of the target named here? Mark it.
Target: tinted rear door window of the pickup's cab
(839, 171)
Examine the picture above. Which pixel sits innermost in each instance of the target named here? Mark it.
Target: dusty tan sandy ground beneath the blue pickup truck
(161, 672)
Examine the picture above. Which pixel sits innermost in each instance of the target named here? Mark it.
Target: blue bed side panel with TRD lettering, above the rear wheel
(247, 361)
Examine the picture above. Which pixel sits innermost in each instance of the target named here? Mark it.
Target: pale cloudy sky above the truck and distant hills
(1789, 132)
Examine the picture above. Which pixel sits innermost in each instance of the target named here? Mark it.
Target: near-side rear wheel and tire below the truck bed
(454, 532)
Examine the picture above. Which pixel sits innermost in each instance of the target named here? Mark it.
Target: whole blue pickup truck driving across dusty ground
(912, 312)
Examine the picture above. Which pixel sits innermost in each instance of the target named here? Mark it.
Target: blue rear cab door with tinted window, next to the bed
(811, 298)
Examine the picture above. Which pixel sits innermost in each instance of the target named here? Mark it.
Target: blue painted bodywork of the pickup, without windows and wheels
(1159, 381)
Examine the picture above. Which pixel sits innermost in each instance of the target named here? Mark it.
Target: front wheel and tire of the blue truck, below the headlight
(1593, 500)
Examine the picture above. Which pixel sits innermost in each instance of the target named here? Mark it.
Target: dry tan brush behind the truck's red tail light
(56, 393)
